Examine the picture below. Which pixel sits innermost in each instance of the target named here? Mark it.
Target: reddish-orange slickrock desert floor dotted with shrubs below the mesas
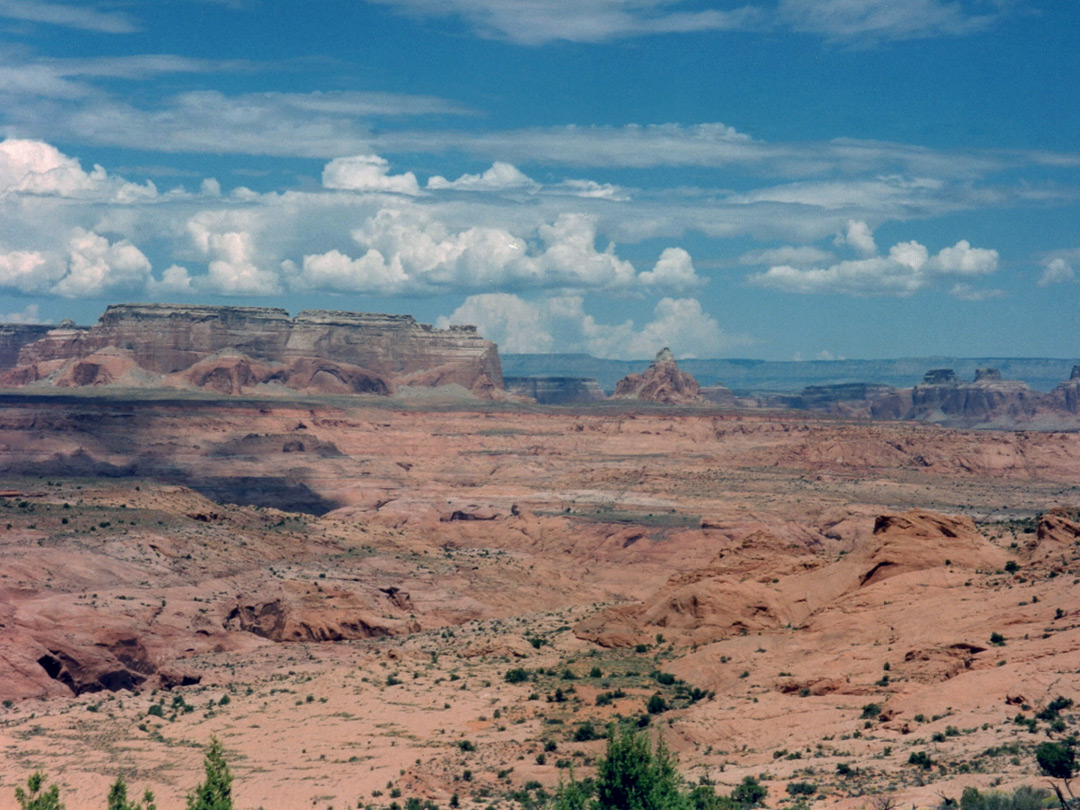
(370, 602)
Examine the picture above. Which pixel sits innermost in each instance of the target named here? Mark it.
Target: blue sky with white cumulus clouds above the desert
(764, 179)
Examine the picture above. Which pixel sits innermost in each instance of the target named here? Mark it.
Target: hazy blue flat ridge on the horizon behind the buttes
(768, 376)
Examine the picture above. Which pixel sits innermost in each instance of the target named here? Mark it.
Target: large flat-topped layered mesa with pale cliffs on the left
(235, 349)
